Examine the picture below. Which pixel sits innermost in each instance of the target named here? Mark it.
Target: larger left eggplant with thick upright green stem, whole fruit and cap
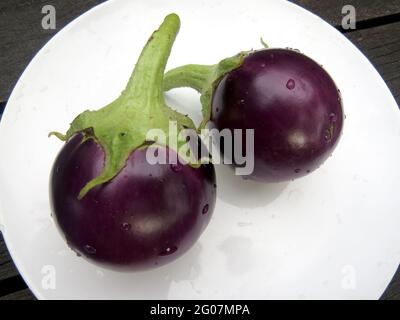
(111, 204)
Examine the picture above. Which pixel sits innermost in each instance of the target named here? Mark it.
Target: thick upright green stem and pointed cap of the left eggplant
(122, 126)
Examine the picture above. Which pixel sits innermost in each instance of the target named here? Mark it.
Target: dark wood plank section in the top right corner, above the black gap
(331, 11)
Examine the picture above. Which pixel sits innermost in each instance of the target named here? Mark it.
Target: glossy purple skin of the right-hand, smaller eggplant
(292, 104)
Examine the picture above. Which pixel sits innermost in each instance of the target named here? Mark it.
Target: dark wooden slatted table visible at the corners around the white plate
(377, 34)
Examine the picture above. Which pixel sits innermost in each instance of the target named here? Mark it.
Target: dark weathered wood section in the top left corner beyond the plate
(22, 35)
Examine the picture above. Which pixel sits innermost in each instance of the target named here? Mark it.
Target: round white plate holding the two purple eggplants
(333, 234)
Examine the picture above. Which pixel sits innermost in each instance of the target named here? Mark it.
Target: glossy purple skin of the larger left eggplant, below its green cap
(146, 216)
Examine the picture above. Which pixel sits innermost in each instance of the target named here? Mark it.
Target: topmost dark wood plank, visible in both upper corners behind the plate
(21, 34)
